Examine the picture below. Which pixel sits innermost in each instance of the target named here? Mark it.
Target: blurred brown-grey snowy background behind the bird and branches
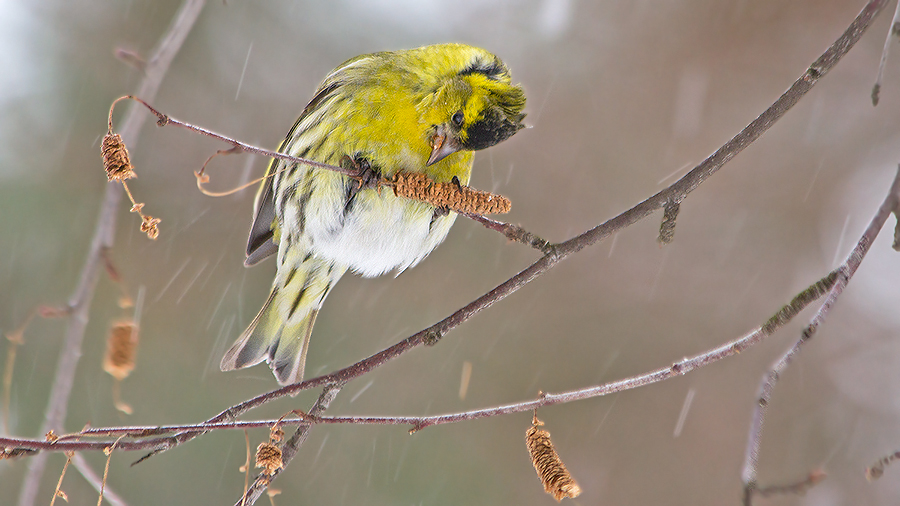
(623, 98)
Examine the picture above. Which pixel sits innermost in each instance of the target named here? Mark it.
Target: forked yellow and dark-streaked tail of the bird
(280, 332)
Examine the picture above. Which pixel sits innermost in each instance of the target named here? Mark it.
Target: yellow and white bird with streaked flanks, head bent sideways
(420, 110)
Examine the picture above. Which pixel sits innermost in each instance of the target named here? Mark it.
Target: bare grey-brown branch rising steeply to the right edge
(890, 205)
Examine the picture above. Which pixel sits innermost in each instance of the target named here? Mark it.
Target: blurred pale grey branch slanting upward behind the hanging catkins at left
(80, 301)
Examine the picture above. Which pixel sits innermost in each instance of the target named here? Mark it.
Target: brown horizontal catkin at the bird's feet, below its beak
(459, 198)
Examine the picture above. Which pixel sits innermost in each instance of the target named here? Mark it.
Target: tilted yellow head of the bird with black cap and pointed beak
(475, 108)
